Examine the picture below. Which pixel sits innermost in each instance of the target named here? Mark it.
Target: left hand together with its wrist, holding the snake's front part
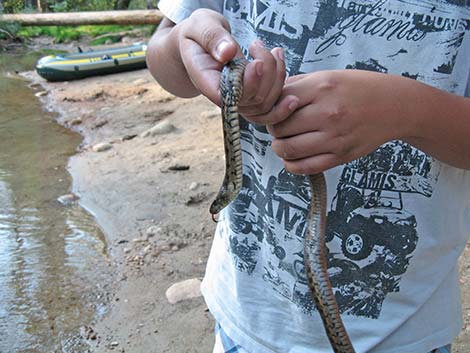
(202, 44)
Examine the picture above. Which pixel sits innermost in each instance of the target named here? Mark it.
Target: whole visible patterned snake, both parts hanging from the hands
(231, 89)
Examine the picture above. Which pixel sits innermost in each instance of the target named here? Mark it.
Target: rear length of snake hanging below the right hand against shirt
(317, 271)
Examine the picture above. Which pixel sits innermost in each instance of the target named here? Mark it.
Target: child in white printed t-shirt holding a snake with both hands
(377, 99)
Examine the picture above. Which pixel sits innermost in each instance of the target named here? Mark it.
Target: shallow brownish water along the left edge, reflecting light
(53, 265)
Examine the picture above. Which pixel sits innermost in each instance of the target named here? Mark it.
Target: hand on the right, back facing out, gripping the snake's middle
(342, 115)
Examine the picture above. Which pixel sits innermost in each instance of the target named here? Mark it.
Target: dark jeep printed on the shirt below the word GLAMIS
(364, 218)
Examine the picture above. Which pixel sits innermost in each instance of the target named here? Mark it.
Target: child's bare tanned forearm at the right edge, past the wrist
(439, 124)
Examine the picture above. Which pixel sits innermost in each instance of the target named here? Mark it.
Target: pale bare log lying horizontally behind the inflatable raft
(135, 17)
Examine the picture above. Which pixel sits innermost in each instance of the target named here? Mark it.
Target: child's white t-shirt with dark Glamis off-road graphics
(398, 219)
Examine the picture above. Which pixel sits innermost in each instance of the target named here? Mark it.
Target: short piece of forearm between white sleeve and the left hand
(165, 64)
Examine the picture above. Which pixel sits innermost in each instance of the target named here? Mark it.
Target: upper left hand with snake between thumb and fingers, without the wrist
(205, 45)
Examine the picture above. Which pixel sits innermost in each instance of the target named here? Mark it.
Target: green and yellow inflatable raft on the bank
(80, 65)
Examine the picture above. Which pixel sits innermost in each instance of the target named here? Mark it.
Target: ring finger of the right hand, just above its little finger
(302, 146)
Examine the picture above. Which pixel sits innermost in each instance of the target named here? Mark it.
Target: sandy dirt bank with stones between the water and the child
(150, 192)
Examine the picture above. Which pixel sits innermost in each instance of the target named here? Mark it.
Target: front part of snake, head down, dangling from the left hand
(231, 90)
